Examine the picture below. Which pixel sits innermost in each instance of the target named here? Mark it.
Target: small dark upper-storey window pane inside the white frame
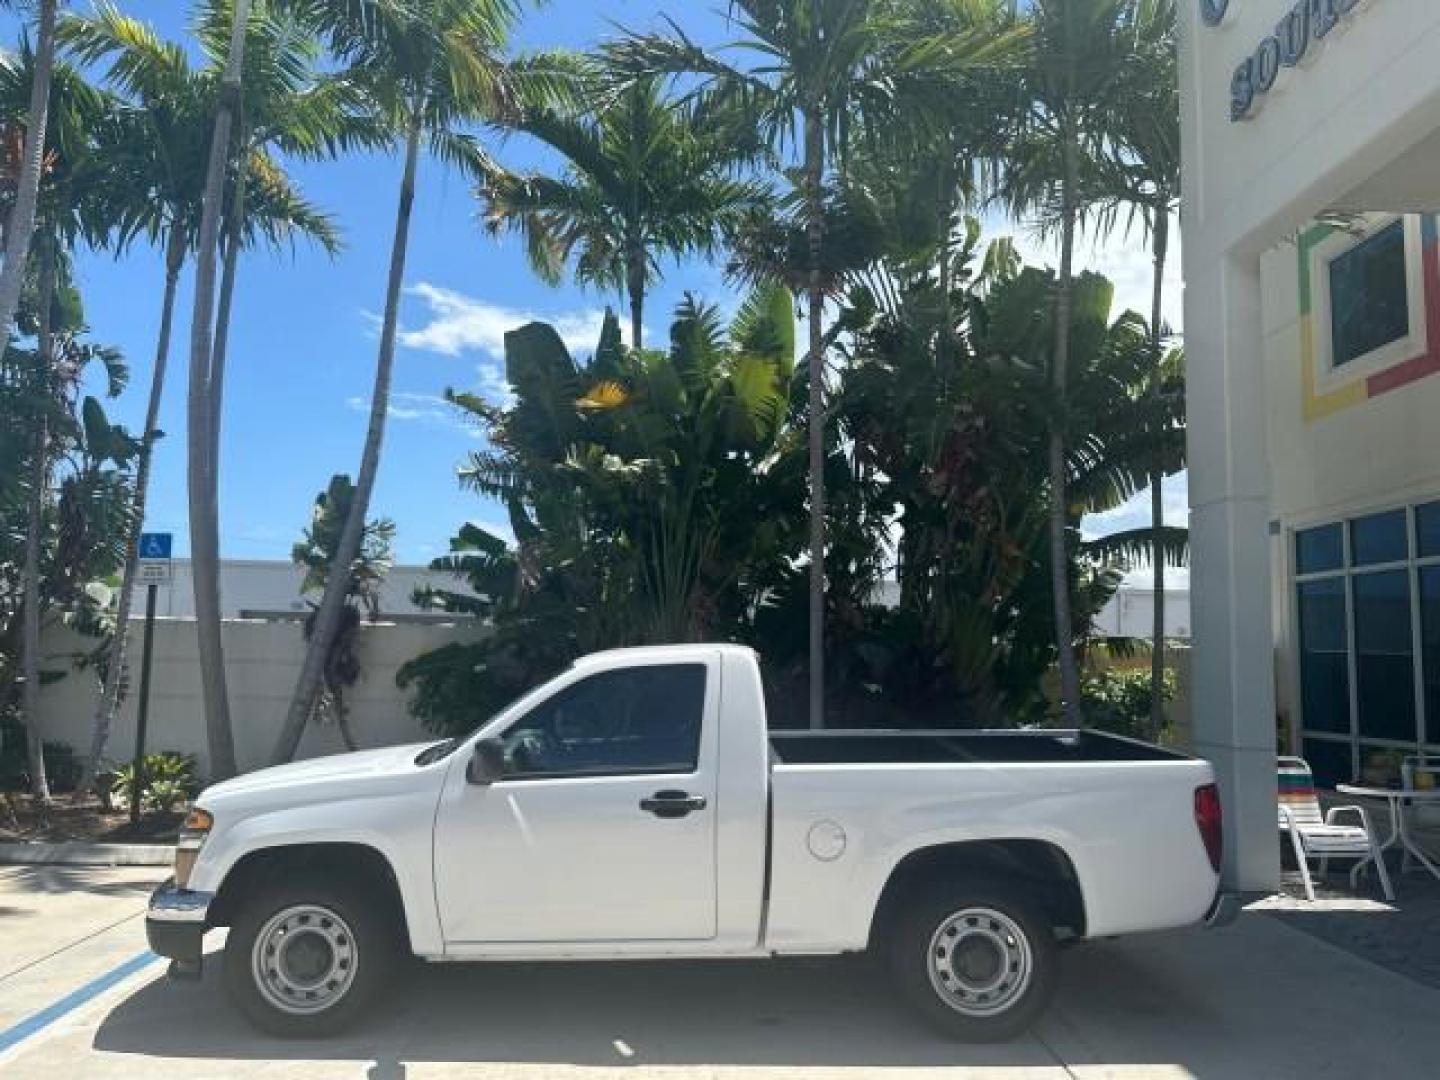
(1370, 299)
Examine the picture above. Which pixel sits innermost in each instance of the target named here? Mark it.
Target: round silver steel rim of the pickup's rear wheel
(980, 963)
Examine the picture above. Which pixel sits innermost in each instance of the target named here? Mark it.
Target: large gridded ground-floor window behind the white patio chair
(1369, 642)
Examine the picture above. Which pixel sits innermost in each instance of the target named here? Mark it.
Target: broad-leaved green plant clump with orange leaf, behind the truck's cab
(646, 492)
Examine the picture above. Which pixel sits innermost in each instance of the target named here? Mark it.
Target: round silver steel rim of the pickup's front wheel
(305, 960)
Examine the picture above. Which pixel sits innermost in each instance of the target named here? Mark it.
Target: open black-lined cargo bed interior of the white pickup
(961, 747)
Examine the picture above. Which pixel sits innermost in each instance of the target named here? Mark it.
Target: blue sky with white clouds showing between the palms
(305, 332)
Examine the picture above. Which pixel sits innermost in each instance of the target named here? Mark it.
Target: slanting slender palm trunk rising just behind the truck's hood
(333, 603)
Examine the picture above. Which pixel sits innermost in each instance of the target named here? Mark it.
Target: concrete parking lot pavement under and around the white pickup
(81, 999)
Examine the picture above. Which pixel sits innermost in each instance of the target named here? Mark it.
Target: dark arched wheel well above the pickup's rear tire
(1035, 863)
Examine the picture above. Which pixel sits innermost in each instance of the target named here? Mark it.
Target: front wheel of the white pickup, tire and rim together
(307, 958)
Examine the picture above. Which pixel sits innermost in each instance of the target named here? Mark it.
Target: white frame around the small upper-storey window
(1416, 342)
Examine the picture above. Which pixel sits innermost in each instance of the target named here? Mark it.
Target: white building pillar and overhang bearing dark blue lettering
(1360, 100)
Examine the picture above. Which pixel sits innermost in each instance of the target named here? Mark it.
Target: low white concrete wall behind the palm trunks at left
(261, 660)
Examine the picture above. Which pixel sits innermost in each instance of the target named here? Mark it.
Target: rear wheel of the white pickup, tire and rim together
(1004, 978)
